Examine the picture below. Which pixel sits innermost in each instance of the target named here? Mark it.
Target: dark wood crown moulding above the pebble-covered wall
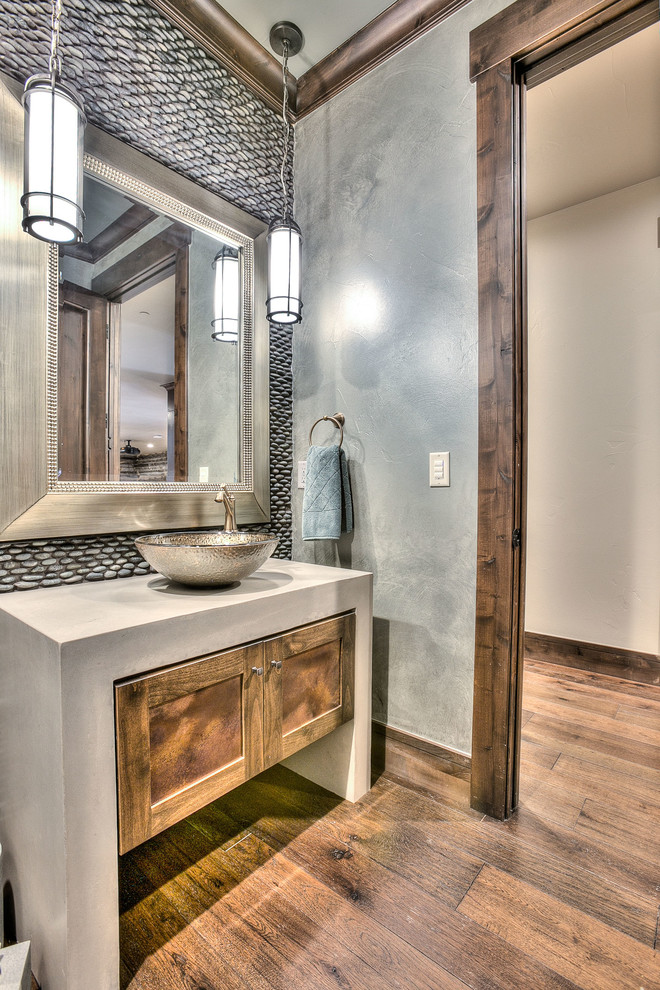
(216, 31)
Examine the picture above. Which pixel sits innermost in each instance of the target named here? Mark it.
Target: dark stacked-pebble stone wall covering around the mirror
(147, 84)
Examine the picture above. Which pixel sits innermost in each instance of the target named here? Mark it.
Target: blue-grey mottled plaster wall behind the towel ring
(386, 198)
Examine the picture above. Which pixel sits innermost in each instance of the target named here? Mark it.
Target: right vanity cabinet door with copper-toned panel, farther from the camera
(308, 685)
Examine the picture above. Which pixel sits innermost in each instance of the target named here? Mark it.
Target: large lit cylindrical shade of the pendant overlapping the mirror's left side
(54, 134)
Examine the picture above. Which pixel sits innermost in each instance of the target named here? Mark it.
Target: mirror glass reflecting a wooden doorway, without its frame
(161, 397)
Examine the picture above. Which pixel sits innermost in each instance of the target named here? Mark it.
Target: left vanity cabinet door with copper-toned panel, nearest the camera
(185, 736)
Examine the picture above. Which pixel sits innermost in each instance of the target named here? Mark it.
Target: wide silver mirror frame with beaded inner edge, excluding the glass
(35, 503)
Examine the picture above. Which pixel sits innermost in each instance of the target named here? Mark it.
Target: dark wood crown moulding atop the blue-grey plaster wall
(386, 34)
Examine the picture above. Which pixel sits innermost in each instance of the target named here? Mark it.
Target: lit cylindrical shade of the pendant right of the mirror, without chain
(284, 303)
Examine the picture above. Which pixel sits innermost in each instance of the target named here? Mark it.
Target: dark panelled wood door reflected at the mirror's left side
(82, 395)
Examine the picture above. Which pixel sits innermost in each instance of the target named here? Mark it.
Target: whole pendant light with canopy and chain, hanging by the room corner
(284, 303)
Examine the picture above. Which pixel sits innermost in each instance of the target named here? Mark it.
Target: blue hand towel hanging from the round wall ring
(327, 493)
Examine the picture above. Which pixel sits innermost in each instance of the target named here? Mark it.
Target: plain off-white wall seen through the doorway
(593, 542)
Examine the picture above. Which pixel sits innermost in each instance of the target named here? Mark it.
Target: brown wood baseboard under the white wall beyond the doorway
(641, 667)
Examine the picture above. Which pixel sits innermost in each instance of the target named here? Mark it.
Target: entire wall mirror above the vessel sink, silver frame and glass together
(158, 378)
